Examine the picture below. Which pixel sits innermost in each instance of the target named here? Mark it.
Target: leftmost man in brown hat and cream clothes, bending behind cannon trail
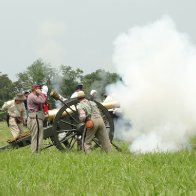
(15, 111)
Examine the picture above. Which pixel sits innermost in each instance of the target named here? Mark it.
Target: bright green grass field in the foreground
(72, 173)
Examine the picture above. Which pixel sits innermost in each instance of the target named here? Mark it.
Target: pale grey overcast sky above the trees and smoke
(78, 33)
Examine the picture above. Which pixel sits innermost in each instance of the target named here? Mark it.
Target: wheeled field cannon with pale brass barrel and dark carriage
(63, 128)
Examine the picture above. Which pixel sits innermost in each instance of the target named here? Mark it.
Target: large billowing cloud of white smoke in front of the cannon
(158, 66)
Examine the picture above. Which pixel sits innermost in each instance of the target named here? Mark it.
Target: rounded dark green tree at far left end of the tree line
(7, 91)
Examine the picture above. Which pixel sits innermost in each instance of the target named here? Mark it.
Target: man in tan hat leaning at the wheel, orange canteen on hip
(90, 115)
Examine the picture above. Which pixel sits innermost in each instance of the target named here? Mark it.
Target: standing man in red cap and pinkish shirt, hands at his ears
(35, 101)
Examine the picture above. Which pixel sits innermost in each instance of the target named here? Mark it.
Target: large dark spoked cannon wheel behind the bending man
(67, 130)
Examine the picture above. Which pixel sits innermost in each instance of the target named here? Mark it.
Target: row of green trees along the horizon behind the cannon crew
(63, 79)
